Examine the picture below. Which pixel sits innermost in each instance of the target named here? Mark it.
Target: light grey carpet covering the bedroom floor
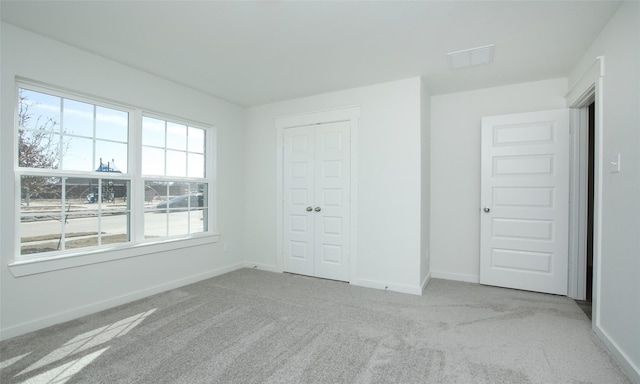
(252, 326)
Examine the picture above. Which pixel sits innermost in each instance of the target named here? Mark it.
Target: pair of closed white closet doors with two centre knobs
(316, 200)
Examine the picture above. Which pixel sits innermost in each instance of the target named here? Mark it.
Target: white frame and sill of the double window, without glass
(137, 245)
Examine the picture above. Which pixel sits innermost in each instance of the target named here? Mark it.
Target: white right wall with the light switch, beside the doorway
(617, 317)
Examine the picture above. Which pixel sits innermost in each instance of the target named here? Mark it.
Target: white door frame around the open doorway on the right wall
(586, 89)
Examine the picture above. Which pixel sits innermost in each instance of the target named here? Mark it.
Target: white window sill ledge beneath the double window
(28, 267)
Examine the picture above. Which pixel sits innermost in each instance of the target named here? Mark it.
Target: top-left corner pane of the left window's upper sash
(38, 111)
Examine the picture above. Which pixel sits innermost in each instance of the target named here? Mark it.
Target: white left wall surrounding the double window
(39, 300)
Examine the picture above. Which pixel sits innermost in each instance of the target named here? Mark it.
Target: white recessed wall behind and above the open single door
(455, 167)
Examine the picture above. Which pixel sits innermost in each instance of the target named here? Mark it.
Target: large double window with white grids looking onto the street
(83, 184)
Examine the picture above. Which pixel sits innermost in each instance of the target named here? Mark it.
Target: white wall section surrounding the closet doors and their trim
(389, 181)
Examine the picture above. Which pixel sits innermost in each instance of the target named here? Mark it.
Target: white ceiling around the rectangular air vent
(253, 53)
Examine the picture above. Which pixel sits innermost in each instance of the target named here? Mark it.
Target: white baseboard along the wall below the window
(72, 314)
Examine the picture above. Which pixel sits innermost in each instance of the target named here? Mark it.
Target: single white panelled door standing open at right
(525, 201)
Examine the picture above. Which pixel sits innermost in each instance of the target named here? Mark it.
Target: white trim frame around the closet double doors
(350, 114)
